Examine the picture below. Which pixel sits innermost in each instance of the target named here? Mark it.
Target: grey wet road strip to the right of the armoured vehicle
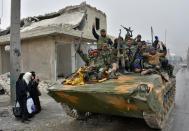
(181, 114)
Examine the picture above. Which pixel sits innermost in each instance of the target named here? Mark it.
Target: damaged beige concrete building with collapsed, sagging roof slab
(48, 42)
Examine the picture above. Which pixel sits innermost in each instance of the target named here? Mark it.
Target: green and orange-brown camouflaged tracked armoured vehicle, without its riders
(150, 97)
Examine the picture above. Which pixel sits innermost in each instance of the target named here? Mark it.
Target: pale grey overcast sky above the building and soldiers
(170, 15)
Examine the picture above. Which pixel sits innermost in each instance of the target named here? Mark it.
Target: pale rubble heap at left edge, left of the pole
(5, 83)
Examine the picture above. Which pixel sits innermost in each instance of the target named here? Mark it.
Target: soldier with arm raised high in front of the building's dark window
(102, 38)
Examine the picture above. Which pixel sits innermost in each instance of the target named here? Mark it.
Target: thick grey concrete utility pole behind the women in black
(15, 47)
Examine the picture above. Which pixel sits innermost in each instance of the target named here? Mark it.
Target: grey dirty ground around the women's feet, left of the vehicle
(51, 116)
